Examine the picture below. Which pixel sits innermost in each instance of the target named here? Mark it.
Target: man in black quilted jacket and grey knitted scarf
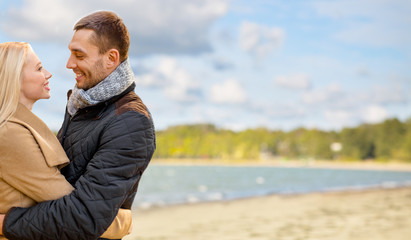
(107, 133)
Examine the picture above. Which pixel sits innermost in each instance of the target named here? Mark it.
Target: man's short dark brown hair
(109, 32)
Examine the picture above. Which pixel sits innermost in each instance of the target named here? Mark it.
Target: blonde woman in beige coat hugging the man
(30, 154)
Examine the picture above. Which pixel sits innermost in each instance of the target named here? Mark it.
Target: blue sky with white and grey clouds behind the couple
(239, 64)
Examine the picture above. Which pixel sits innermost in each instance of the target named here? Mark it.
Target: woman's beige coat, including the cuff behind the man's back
(30, 158)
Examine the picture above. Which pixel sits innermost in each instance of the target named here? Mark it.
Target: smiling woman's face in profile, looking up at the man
(34, 80)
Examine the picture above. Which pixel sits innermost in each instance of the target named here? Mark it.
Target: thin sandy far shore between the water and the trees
(364, 165)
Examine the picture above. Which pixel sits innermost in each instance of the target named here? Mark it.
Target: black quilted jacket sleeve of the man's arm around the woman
(126, 148)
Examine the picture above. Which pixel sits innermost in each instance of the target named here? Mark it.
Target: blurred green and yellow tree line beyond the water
(385, 141)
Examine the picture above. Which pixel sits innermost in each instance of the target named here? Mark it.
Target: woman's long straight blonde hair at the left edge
(12, 59)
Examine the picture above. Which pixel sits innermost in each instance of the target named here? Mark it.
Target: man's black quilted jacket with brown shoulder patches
(110, 146)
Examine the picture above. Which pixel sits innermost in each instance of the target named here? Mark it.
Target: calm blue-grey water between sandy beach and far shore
(165, 185)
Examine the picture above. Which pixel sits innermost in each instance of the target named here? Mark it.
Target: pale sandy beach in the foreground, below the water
(377, 214)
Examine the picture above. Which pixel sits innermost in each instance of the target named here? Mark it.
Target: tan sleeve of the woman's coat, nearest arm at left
(24, 167)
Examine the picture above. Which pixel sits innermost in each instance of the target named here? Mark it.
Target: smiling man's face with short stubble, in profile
(85, 60)
